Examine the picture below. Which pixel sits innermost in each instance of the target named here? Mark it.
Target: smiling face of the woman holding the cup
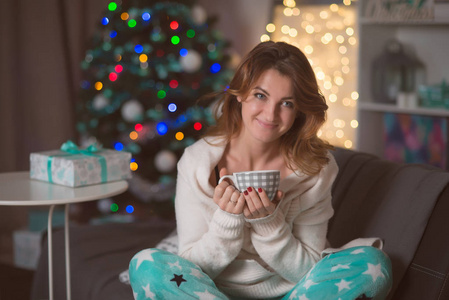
(270, 109)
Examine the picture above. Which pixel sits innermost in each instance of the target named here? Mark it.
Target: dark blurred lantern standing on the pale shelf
(394, 72)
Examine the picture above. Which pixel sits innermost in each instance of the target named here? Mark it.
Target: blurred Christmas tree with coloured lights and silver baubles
(148, 64)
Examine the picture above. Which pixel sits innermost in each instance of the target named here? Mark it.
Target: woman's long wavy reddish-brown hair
(300, 146)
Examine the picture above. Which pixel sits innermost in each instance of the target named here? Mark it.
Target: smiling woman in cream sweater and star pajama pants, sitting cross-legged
(235, 245)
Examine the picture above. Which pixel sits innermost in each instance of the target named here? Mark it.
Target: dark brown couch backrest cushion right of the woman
(376, 198)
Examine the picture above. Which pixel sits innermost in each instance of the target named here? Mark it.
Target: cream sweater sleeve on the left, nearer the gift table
(208, 236)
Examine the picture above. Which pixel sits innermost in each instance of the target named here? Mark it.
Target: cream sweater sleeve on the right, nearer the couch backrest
(293, 250)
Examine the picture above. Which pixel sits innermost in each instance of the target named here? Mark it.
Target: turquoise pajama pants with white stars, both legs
(354, 273)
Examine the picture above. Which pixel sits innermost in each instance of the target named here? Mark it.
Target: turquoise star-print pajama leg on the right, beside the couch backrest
(363, 272)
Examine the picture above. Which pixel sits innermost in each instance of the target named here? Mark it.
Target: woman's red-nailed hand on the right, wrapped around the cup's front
(258, 205)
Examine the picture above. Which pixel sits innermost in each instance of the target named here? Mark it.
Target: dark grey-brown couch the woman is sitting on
(406, 205)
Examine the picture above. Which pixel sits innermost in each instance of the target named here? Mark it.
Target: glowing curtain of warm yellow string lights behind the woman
(326, 34)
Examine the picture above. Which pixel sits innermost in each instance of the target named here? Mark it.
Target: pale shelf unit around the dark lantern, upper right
(426, 39)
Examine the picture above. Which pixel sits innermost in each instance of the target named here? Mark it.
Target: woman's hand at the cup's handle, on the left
(227, 197)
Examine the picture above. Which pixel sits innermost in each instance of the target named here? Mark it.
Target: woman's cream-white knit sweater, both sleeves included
(257, 258)
